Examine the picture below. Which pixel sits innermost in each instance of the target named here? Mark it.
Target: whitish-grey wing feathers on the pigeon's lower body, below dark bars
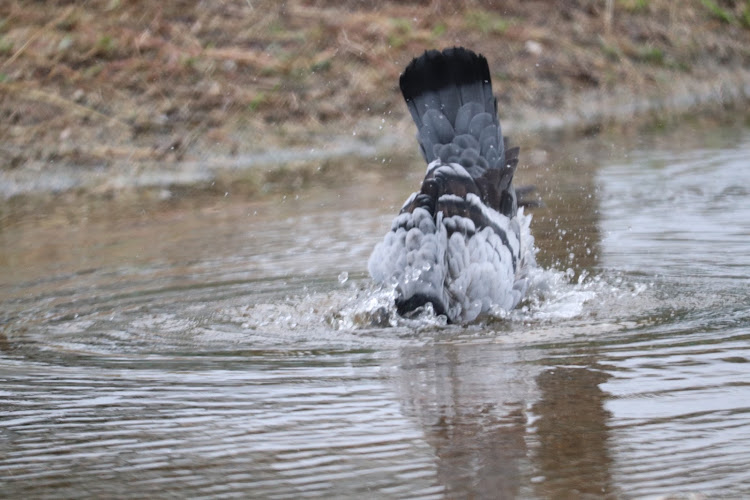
(472, 274)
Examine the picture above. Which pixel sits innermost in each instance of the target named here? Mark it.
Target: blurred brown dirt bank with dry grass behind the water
(108, 86)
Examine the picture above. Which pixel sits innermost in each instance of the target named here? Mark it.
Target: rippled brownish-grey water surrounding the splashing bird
(228, 350)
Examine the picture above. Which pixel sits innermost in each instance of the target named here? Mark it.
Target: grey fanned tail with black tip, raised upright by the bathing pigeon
(449, 95)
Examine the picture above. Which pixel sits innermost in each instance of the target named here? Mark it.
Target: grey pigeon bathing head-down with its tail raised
(460, 245)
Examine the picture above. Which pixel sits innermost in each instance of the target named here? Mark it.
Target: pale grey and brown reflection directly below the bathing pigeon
(472, 412)
